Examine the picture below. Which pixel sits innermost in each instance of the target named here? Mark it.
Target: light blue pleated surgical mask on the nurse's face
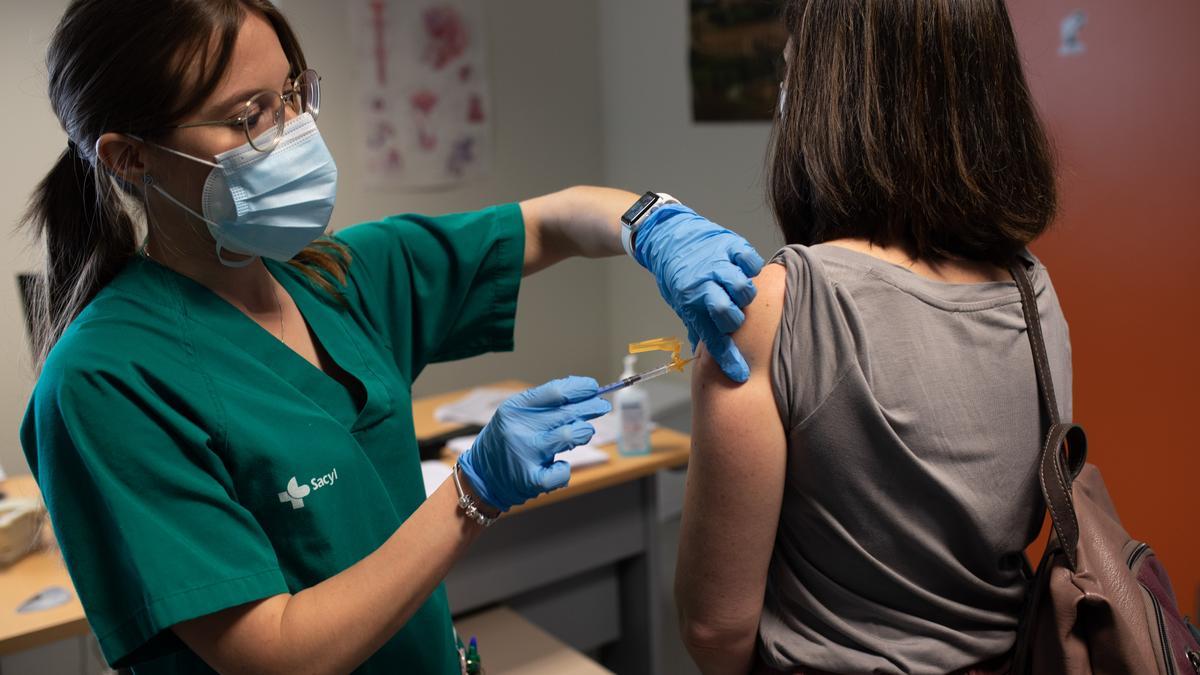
(271, 205)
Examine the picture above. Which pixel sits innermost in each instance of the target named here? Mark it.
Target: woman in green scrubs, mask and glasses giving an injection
(223, 423)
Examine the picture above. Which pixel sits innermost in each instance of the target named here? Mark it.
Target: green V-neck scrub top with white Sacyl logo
(191, 462)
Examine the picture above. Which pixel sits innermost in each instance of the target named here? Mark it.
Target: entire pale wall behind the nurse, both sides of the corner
(581, 94)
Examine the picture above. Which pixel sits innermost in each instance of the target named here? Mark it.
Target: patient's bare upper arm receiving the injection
(735, 477)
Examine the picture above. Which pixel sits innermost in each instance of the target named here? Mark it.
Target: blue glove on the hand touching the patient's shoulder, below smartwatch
(704, 272)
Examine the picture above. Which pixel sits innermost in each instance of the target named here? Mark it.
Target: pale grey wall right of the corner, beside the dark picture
(652, 145)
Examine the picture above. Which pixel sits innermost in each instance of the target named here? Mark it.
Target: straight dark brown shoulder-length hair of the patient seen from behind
(910, 123)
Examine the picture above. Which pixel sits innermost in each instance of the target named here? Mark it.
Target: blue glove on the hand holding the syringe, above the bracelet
(513, 459)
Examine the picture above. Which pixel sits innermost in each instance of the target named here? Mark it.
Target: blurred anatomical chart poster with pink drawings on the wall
(424, 98)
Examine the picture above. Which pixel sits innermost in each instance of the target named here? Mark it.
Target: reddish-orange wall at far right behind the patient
(1125, 253)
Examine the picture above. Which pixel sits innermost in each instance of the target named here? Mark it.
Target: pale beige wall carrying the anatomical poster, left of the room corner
(544, 62)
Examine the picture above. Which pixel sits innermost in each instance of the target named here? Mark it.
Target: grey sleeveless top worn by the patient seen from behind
(913, 435)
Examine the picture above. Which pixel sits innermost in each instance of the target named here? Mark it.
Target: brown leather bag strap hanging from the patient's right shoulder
(1066, 446)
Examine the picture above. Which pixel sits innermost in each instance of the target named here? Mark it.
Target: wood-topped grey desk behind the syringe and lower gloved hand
(584, 561)
